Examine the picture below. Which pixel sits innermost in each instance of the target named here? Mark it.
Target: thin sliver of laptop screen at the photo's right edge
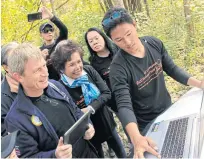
(201, 137)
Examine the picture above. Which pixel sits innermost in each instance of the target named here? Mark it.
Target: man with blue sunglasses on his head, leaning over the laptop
(137, 79)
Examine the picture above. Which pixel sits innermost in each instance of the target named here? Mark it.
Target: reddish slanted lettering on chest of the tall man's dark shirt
(151, 73)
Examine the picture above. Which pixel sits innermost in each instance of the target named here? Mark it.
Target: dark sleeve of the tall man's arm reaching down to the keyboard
(121, 90)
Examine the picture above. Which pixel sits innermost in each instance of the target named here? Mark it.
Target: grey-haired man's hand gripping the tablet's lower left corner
(63, 151)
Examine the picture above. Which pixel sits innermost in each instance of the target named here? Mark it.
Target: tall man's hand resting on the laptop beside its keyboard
(143, 144)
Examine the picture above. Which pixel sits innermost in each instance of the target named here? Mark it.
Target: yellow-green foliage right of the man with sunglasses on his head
(168, 23)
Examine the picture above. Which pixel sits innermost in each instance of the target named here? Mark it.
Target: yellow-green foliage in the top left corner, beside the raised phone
(14, 20)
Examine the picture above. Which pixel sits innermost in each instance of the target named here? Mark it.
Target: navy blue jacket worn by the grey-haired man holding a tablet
(36, 141)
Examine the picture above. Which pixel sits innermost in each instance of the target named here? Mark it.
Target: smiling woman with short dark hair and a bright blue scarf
(87, 88)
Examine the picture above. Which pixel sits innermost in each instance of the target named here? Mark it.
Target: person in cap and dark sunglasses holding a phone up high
(47, 32)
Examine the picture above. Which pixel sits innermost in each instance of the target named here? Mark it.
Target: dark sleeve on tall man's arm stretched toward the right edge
(170, 67)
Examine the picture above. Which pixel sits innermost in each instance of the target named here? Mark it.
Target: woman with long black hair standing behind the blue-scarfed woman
(102, 51)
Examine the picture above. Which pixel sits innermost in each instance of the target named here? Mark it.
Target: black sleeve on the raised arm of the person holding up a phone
(62, 28)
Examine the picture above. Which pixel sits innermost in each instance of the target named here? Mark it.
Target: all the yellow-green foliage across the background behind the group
(167, 22)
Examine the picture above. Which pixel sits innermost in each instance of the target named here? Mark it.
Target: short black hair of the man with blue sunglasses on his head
(124, 18)
